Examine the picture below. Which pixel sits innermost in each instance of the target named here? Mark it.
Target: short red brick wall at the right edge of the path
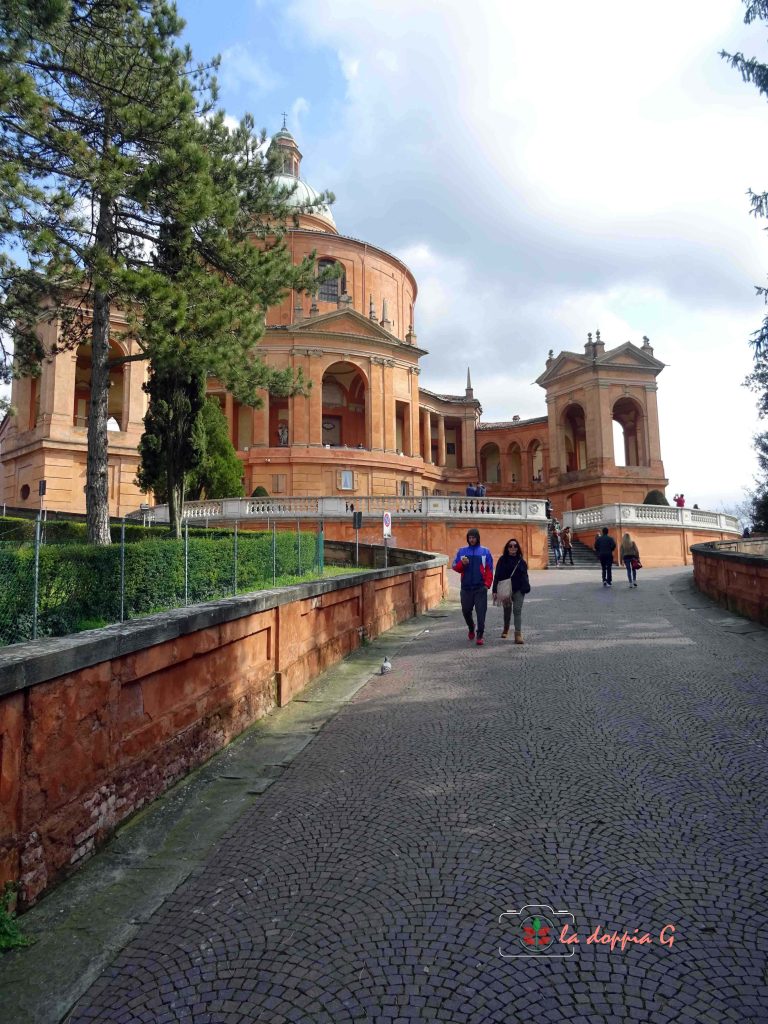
(736, 575)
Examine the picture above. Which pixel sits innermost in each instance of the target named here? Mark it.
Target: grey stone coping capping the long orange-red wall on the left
(26, 665)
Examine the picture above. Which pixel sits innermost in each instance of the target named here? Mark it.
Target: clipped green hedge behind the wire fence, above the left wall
(79, 585)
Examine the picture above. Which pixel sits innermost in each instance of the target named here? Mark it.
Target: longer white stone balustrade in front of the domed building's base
(400, 507)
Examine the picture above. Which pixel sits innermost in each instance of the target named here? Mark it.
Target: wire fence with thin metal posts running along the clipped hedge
(53, 584)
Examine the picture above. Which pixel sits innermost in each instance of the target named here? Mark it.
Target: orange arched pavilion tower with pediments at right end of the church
(586, 395)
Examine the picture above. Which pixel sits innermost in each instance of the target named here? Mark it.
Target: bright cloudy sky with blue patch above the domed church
(545, 170)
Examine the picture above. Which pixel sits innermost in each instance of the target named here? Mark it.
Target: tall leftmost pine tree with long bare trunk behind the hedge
(100, 91)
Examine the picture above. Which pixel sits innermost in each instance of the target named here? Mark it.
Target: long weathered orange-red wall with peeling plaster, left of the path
(79, 753)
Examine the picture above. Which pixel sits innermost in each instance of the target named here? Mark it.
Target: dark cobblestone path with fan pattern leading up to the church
(614, 767)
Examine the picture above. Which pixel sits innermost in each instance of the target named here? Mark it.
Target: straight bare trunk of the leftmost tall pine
(97, 488)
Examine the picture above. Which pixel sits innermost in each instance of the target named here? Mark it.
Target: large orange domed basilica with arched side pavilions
(368, 425)
